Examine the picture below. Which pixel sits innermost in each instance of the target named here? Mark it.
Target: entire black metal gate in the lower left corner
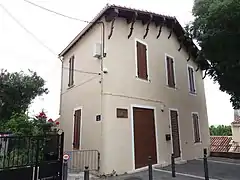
(31, 157)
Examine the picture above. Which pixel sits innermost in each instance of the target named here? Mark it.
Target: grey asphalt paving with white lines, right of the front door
(218, 169)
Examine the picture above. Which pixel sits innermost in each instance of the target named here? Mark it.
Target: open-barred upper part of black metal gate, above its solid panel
(19, 151)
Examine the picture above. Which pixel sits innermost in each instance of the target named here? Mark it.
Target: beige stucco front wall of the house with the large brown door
(121, 80)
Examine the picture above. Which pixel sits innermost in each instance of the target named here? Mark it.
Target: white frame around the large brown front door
(132, 128)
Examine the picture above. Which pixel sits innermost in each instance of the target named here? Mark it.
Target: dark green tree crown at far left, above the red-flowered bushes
(17, 91)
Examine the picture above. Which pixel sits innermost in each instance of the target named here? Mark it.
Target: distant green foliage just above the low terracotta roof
(220, 130)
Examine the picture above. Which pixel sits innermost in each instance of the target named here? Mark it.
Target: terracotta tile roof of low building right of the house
(220, 143)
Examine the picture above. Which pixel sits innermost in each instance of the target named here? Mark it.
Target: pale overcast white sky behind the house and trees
(20, 51)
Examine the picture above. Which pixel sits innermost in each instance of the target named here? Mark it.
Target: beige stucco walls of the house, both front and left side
(116, 146)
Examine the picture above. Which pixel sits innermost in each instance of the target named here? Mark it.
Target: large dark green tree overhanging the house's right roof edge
(216, 29)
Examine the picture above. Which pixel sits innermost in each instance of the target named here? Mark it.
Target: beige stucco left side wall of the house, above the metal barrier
(85, 94)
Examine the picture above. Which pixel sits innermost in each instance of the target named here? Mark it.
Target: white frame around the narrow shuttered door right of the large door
(179, 131)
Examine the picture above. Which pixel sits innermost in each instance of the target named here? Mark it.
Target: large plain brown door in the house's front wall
(144, 136)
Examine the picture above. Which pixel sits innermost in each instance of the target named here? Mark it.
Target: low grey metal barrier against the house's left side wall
(79, 159)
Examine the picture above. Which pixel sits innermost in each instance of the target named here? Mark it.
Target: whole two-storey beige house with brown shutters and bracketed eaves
(150, 100)
